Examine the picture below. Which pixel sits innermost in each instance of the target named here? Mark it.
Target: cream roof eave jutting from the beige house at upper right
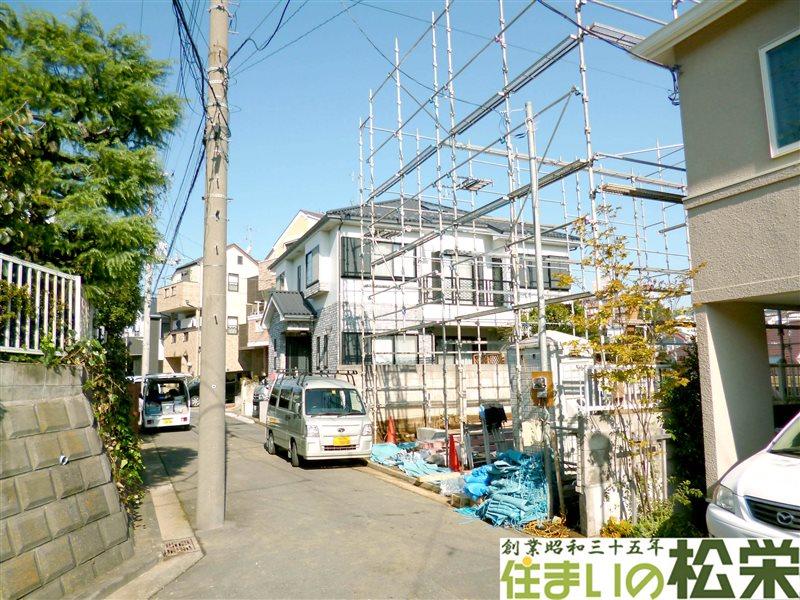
(660, 46)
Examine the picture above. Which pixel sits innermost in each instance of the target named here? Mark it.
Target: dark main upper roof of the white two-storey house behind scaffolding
(387, 212)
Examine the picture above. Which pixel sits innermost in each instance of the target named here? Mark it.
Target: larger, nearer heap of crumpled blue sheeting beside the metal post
(513, 490)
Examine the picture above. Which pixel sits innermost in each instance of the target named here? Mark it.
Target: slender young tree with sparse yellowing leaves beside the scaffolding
(631, 313)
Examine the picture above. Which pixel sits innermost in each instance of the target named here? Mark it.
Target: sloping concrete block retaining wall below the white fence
(61, 521)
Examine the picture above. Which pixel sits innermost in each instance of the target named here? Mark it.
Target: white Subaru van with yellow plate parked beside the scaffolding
(317, 418)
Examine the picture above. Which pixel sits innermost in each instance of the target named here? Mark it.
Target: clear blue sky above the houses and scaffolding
(295, 114)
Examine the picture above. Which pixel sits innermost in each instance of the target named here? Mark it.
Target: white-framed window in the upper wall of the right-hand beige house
(780, 76)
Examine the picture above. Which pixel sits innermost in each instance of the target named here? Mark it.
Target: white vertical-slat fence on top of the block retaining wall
(42, 303)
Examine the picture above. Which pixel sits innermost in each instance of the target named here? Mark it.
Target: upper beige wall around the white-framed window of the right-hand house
(722, 99)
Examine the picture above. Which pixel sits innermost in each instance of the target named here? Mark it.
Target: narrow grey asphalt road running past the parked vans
(331, 531)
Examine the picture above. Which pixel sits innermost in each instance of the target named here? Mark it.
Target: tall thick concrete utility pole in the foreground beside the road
(211, 454)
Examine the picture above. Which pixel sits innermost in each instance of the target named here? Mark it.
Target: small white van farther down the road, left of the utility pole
(164, 402)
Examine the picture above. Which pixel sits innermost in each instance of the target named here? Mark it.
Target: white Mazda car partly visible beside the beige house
(760, 496)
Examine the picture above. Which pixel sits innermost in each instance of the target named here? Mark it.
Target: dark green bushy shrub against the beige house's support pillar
(683, 418)
